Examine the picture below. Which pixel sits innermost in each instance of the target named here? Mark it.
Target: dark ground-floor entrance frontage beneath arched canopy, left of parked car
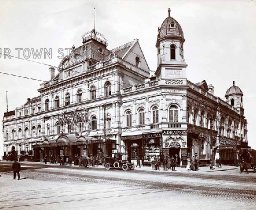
(69, 148)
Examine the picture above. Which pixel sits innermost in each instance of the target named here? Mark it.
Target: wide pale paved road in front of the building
(69, 188)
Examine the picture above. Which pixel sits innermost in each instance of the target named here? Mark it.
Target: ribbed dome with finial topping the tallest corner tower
(170, 29)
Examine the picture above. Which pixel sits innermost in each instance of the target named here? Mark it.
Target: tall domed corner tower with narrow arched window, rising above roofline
(170, 58)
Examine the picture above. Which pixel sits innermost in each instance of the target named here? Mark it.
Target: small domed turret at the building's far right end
(234, 96)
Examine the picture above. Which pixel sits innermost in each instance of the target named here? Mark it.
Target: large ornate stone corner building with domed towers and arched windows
(103, 102)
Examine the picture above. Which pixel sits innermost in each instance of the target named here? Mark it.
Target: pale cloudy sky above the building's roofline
(219, 48)
